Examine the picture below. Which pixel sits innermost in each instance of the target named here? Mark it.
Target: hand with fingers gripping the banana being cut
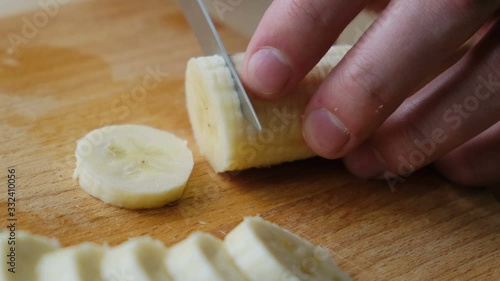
(385, 124)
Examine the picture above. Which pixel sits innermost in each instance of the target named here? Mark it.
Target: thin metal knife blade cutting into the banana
(204, 29)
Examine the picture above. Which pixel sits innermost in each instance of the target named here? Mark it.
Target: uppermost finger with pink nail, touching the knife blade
(291, 38)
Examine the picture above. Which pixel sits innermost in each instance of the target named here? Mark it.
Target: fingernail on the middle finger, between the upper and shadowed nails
(325, 133)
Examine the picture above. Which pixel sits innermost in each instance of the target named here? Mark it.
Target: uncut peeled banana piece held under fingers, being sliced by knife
(225, 138)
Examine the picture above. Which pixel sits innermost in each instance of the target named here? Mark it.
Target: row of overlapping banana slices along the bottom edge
(255, 250)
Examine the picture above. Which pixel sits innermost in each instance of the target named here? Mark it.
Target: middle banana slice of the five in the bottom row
(139, 259)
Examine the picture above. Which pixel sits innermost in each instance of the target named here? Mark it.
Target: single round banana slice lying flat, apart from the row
(133, 166)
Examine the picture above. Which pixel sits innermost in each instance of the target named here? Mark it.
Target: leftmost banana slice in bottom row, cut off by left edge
(28, 250)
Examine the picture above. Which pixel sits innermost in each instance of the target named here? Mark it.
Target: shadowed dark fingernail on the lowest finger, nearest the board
(365, 162)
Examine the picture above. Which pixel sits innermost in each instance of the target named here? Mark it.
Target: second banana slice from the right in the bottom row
(201, 256)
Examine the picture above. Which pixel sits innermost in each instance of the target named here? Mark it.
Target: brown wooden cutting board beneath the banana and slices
(75, 72)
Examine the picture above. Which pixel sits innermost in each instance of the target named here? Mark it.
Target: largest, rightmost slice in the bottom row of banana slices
(264, 251)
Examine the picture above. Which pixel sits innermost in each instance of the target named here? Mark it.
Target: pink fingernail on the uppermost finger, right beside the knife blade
(268, 71)
